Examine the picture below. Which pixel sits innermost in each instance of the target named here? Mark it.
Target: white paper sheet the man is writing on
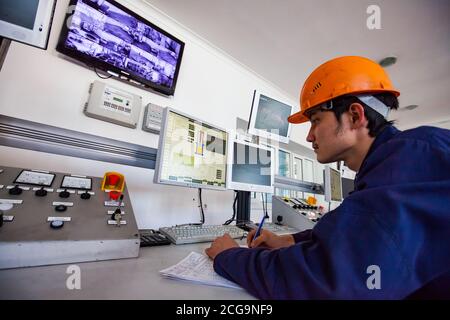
(198, 268)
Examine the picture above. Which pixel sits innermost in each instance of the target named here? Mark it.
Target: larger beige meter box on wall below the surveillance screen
(113, 105)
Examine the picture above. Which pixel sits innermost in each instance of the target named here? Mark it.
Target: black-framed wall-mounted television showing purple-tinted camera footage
(107, 36)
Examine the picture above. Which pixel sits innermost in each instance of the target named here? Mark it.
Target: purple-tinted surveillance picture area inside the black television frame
(105, 32)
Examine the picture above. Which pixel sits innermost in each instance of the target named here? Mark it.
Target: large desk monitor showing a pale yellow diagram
(191, 152)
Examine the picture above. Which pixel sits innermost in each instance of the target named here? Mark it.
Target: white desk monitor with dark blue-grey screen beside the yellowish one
(250, 167)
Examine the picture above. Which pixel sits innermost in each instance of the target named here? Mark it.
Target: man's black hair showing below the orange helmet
(376, 122)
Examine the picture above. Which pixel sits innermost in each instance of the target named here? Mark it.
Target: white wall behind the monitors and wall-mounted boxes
(44, 87)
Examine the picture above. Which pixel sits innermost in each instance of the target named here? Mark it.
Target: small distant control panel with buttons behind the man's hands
(294, 212)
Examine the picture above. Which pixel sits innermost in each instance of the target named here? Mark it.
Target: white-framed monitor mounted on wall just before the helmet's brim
(268, 118)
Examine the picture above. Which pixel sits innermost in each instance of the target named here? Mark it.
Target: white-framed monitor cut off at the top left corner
(27, 21)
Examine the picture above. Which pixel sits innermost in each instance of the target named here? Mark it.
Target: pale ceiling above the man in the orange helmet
(284, 40)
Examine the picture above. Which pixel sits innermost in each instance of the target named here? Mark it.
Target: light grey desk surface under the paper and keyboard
(137, 278)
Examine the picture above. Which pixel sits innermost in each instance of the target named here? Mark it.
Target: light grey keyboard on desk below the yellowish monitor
(200, 233)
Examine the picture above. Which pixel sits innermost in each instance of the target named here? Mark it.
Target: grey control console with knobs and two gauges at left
(52, 218)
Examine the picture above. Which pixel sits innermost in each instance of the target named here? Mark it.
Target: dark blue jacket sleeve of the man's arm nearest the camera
(332, 264)
